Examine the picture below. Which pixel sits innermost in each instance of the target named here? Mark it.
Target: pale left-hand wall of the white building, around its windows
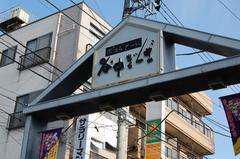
(21, 82)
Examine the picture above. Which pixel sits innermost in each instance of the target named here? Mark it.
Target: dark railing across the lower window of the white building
(16, 120)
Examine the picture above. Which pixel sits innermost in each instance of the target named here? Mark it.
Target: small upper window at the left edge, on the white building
(8, 55)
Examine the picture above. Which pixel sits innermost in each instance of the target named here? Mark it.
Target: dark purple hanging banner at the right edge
(231, 106)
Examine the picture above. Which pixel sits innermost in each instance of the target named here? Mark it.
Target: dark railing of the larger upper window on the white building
(35, 58)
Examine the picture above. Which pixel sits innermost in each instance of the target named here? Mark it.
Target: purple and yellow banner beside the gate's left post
(49, 144)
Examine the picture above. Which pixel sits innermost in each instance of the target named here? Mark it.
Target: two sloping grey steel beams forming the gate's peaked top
(80, 71)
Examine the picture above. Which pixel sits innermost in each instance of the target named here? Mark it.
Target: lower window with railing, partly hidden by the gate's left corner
(17, 119)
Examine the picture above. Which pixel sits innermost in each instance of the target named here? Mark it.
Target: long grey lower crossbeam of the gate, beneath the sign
(169, 84)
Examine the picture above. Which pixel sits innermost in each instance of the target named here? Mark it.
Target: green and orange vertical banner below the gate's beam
(153, 142)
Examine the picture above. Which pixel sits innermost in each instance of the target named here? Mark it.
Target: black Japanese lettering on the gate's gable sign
(135, 58)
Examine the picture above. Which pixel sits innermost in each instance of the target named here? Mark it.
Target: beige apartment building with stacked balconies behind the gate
(186, 136)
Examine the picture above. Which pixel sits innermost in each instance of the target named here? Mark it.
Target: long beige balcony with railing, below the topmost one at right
(189, 130)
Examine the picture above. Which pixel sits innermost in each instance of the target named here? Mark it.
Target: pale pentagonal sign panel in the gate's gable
(132, 53)
